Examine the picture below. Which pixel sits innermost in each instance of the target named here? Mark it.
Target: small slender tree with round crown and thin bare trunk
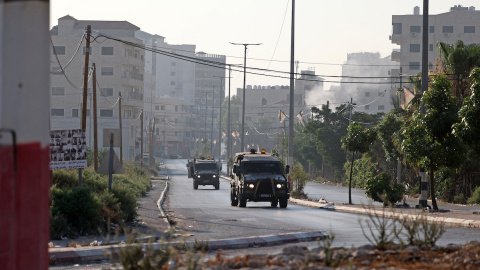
(357, 140)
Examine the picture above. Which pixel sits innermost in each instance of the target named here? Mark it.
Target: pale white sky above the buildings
(325, 30)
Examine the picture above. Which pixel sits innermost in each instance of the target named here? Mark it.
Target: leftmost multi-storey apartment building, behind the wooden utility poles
(120, 70)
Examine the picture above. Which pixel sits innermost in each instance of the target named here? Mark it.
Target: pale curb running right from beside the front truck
(453, 222)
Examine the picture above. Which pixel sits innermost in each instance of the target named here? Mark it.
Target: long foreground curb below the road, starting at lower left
(96, 254)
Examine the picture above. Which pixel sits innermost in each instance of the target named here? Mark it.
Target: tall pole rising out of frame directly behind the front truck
(292, 89)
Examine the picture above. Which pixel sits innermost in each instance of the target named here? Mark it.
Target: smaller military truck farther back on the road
(204, 172)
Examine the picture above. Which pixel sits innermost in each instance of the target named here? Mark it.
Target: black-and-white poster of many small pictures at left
(68, 149)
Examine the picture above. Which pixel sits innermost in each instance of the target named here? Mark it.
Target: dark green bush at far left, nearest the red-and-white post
(78, 206)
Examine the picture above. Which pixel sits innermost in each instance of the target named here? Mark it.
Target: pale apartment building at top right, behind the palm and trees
(460, 23)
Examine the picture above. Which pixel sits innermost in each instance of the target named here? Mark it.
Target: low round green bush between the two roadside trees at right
(380, 189)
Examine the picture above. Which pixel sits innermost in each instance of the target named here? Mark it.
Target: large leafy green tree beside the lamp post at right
(427, 140)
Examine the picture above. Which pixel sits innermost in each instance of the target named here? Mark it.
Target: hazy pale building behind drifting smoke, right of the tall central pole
(366, 82)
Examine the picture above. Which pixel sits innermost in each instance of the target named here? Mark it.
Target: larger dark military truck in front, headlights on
(259, 177)
